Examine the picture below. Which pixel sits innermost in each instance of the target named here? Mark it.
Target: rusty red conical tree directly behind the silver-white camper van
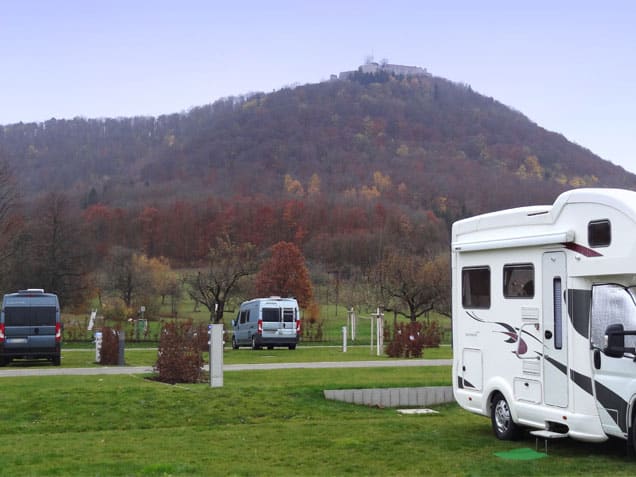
(285, 274)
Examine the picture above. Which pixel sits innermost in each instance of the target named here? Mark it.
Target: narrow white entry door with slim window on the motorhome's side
(555, 342)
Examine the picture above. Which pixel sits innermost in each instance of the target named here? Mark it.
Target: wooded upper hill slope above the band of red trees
(417, 141)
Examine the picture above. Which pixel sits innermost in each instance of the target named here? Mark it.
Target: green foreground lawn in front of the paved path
(260, 423)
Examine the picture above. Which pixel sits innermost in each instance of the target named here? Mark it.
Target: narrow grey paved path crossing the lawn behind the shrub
(55, 371)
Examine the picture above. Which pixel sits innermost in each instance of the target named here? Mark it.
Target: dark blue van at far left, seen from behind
(30, 326)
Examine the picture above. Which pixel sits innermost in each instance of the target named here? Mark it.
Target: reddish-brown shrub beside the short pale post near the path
(179, 359)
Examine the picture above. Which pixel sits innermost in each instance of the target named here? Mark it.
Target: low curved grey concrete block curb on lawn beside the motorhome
(393, 397)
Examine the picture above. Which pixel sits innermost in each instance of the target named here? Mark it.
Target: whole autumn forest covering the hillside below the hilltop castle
(354, 173)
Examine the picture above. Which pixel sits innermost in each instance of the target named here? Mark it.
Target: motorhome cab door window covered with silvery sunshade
(613, 305)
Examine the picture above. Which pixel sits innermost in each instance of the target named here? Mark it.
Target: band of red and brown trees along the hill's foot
(217, 251)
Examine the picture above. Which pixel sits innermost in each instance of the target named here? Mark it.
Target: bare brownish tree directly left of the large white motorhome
(414, 285)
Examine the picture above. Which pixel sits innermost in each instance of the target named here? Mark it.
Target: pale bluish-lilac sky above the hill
(570, 66)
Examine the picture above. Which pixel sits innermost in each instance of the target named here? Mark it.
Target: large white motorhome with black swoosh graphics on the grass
(544, 316)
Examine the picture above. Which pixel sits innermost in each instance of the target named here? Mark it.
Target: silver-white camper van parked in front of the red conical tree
(269, 322)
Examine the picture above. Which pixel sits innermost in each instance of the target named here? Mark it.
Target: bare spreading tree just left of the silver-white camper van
(228, 263)
